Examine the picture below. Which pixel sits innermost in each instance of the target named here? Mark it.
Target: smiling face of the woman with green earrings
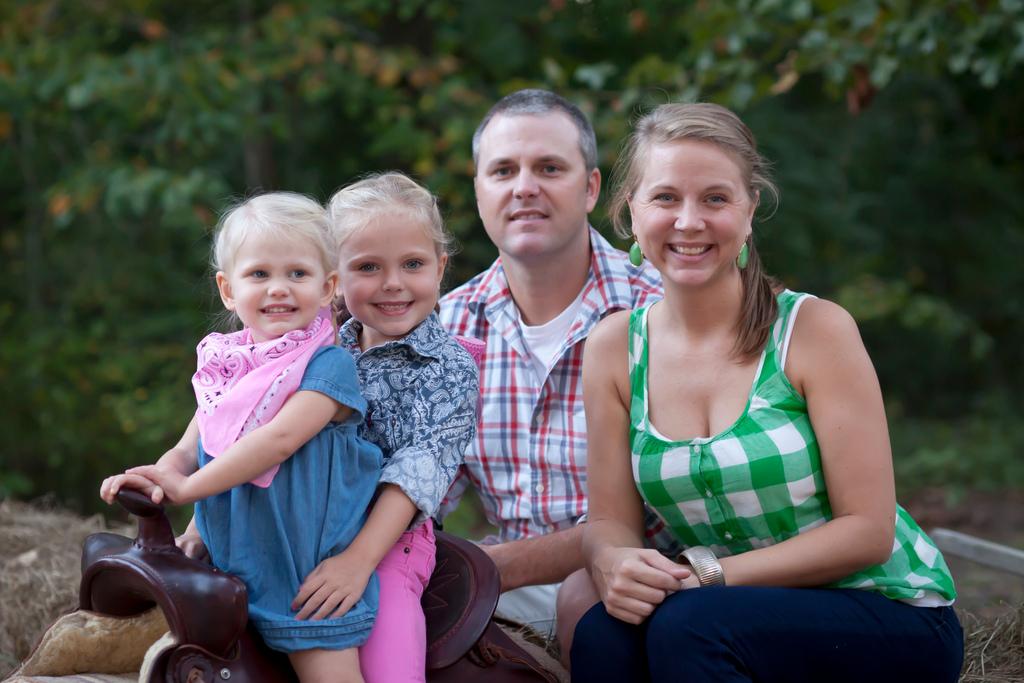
(692, 212)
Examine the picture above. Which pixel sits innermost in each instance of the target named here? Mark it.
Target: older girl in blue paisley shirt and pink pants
(422, 391)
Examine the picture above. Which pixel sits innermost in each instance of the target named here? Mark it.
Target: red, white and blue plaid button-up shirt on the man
(529, 460)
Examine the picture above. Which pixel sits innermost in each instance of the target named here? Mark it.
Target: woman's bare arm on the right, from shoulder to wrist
(829, 366)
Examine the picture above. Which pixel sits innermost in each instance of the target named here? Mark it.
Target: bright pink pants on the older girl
(398, 647)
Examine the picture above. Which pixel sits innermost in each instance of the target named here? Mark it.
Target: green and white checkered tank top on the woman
(760, 482)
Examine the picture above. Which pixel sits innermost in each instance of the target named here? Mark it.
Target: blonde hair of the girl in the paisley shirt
(387, 196)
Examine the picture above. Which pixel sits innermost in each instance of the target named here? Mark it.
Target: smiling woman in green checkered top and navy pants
(760, 437)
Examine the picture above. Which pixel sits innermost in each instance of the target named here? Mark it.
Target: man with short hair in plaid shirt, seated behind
(537, 180)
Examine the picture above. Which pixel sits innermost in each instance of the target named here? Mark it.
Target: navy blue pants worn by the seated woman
(772, 635)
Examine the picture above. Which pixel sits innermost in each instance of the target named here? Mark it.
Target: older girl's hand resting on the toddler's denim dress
(333, 587)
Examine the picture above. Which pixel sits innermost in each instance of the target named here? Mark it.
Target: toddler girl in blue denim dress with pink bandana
(273, 460)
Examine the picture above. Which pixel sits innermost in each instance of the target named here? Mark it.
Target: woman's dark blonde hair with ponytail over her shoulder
(707, 123)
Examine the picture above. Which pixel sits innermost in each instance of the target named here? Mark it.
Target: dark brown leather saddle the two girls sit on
(207, 610)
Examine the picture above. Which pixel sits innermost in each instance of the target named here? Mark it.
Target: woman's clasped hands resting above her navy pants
(633, 582)
